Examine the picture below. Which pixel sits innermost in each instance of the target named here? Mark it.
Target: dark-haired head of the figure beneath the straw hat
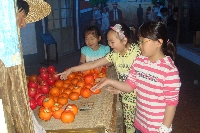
(23, 9)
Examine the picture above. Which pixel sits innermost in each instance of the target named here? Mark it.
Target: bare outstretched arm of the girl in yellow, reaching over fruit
(84, 67)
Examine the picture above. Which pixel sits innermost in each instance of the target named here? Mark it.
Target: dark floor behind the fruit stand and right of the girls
(187, 118)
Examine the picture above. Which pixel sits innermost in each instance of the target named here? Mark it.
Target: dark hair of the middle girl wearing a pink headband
(130, 34)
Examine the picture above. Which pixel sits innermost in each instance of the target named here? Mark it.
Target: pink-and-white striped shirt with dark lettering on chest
(157, 85)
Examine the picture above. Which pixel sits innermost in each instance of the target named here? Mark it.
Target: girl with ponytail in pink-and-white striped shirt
(155, 78)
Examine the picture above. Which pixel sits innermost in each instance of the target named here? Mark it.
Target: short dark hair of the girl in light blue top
(92, 30)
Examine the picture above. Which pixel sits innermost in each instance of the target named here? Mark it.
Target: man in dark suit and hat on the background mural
(115, 15)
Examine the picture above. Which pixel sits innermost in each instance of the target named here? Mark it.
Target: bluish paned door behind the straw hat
(61, 26)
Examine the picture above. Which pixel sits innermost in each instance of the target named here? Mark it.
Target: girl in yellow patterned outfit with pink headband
(123, 54)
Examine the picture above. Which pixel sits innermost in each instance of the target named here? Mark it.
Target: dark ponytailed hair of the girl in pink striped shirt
(157, 30)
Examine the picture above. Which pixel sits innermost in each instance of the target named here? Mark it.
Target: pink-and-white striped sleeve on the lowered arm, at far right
(172, 87)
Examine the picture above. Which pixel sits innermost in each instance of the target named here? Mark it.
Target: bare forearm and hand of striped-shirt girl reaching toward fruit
(120, 85)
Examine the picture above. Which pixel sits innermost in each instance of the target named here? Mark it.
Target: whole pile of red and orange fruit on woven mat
(52, 94)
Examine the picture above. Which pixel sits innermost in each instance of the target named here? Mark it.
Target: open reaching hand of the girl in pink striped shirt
(101, 83)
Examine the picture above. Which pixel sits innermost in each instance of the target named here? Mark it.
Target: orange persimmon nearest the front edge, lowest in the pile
(67, 116)
